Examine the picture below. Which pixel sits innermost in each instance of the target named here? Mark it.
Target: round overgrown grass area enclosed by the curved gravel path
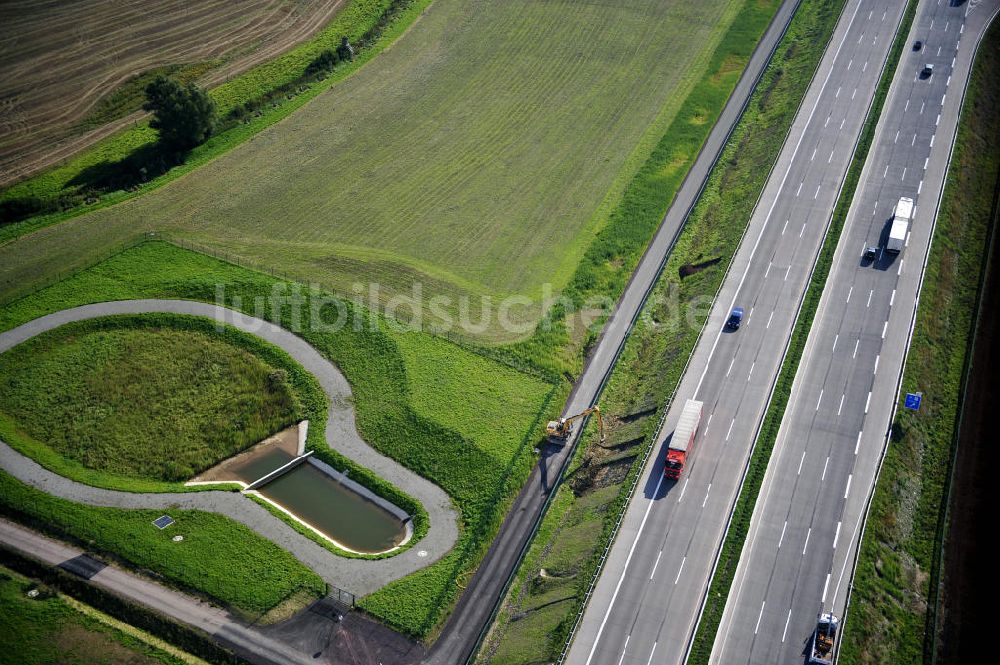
(138, 398)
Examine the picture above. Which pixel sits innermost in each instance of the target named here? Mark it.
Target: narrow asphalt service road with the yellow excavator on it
(474, 610)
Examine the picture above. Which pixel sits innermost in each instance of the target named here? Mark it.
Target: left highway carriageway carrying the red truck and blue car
(646, 604)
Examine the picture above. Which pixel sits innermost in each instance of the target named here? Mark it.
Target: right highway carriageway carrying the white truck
(806, 527)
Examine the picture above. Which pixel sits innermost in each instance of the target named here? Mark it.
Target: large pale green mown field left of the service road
(455, 159)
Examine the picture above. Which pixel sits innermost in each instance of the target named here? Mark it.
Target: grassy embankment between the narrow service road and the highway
(540, 610)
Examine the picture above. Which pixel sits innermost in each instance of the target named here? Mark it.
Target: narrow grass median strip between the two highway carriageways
(740, 522)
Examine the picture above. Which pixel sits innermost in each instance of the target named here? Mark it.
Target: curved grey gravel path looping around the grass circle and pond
(359, 576)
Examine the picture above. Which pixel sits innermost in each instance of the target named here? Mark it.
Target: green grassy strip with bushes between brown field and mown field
(371, 25)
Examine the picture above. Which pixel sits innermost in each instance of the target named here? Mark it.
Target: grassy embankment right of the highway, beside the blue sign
(898, 568)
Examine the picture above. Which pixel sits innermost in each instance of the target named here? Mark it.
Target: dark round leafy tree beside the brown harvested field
(183, 115)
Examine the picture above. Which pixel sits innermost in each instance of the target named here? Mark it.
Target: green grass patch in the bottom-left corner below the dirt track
(51, 628)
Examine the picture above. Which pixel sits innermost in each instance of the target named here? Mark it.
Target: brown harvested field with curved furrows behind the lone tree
(59, 60)
